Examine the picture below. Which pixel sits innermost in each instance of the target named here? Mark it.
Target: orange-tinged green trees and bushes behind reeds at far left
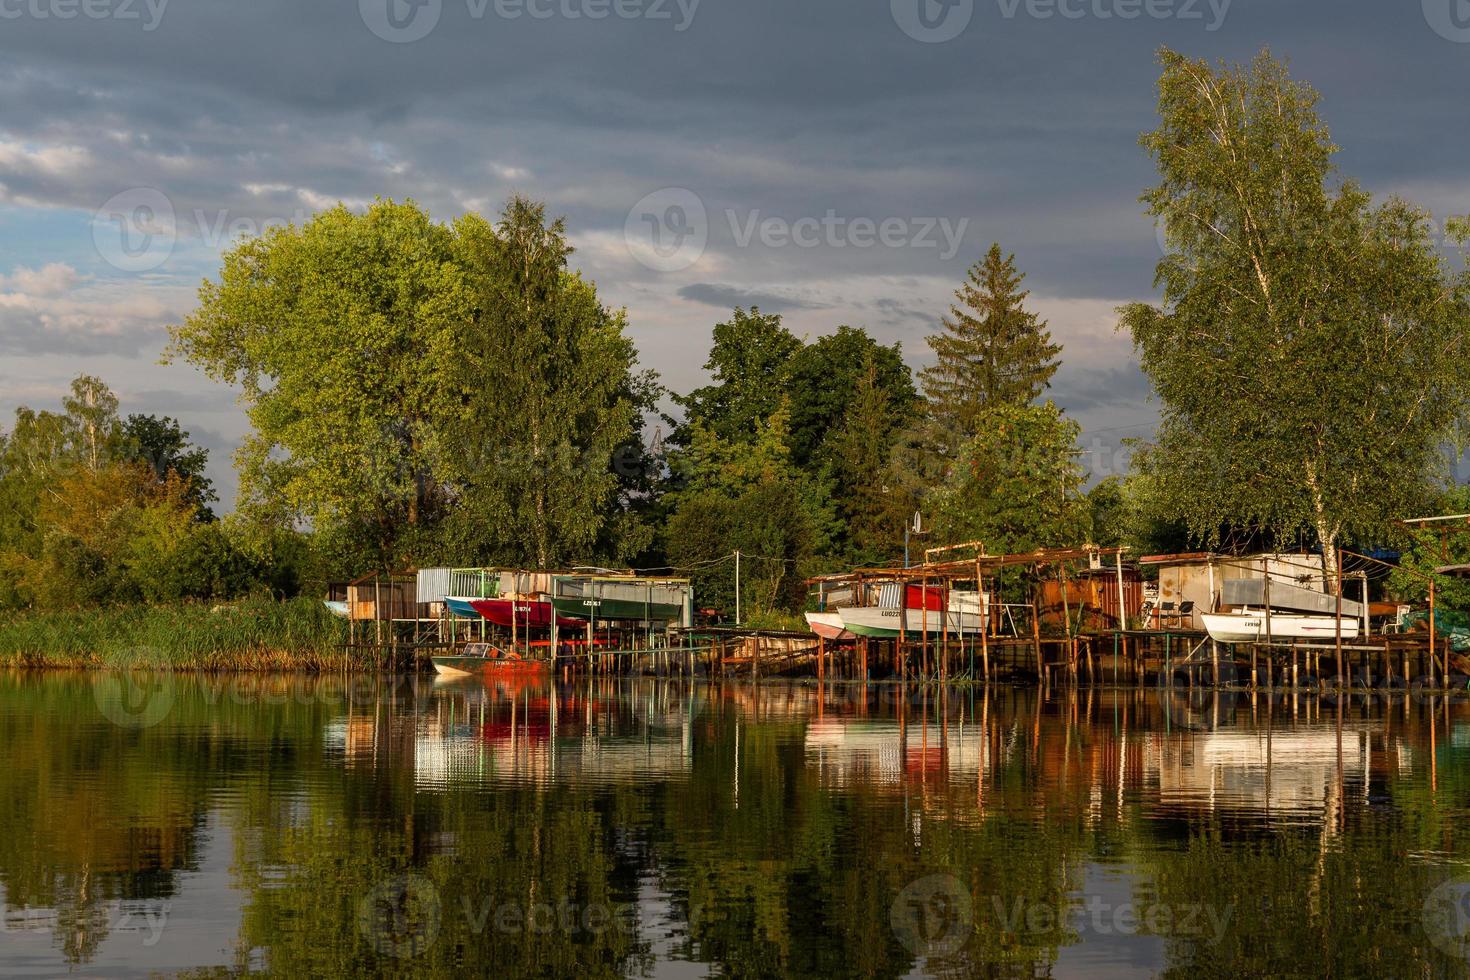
(99, 511)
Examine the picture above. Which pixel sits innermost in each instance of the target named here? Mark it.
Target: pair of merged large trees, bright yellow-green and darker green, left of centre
(424, 393)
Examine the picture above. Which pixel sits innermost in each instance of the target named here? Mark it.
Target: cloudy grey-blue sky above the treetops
(836, 162)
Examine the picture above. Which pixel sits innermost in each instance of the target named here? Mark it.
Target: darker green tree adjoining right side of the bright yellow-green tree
(552, 458)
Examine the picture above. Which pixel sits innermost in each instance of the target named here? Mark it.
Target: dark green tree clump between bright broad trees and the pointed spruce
(786, 458)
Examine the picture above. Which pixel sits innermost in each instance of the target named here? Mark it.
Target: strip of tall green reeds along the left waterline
(255, 634)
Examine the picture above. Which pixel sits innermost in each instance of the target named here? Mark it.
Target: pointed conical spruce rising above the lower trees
(993, 352)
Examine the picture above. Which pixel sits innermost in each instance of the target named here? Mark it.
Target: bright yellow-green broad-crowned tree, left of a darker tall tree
(346, 339)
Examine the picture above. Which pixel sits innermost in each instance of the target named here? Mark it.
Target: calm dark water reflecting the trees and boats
(414, 828)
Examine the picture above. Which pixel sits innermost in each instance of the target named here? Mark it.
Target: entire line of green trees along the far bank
(427, 393)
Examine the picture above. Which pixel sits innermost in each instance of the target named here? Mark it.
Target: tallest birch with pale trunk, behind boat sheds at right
(1312, 350)
